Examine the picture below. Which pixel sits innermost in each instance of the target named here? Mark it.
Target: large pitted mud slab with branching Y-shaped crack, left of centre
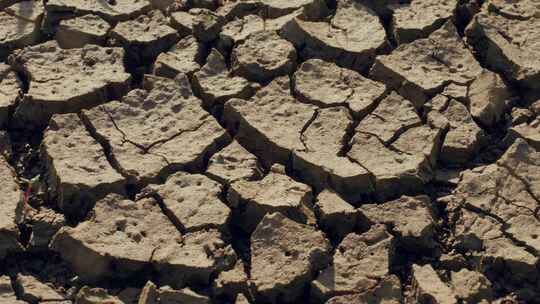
(157, 130)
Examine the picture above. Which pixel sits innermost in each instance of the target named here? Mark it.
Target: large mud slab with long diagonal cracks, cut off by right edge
(494, 215)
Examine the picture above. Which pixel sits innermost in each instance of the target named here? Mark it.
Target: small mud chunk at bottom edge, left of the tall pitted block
(232, 282)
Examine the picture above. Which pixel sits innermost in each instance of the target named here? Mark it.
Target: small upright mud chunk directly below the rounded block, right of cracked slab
(464, 137)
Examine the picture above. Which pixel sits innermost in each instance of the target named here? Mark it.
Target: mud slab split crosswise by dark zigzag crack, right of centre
(395, 148)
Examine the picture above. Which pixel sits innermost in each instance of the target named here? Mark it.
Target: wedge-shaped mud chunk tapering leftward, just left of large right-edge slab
(410, 218)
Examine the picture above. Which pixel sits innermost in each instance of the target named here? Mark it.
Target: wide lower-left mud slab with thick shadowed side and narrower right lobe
(123, 237)
